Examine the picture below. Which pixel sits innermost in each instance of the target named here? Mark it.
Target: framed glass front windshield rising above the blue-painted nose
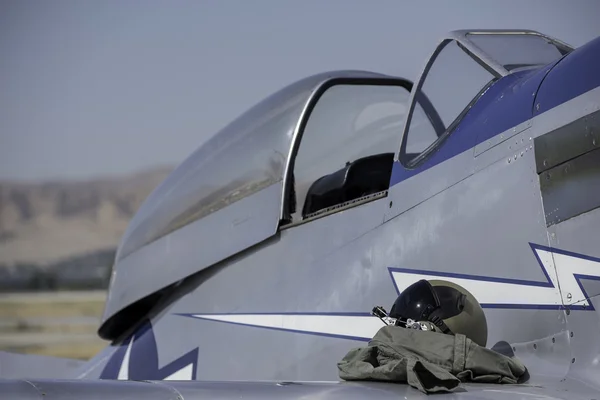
(461, 69)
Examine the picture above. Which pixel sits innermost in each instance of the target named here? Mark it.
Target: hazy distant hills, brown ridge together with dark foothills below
(61, 235)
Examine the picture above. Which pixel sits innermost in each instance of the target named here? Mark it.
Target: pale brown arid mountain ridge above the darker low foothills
(46, 223)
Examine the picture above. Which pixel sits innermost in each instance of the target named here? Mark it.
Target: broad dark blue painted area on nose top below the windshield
(511, 101)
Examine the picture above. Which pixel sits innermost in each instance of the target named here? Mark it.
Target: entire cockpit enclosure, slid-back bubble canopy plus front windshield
(321, 145)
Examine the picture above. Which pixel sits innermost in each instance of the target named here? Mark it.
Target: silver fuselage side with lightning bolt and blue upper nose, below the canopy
(474, 214)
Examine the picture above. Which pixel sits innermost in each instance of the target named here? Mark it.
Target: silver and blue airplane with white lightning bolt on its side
(253, 268)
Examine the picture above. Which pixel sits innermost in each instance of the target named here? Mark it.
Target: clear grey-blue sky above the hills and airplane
(96, 88)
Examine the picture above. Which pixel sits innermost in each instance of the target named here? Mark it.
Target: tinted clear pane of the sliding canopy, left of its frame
(246, 156)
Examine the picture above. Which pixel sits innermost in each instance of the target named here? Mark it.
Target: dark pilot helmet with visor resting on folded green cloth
(449, 307)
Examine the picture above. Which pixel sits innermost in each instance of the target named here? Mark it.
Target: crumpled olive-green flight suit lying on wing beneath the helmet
(429, 361)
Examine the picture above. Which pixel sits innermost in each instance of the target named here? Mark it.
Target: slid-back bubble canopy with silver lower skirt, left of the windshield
(229, 194)
